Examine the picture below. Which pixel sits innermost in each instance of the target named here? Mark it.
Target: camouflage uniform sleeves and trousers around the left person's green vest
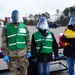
(17, 57)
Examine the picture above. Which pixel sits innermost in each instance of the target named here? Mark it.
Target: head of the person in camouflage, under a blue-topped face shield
(15, 16)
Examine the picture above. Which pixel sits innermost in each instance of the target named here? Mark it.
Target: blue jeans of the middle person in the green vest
(44, 68)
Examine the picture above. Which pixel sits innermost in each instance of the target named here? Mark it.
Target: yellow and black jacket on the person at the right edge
(69, 38)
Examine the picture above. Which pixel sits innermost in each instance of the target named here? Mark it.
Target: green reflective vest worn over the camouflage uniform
(16, 37)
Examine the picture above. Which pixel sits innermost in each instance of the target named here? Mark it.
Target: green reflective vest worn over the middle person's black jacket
(47, 47)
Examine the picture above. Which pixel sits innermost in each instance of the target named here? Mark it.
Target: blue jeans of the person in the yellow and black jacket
(70, 62)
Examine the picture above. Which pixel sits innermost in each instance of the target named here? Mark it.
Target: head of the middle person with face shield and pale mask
(42, 24)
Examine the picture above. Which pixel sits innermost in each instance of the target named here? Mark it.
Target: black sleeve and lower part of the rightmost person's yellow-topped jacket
(69, 50)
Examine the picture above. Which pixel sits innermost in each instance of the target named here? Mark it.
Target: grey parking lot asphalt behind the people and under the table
(55, 69)
